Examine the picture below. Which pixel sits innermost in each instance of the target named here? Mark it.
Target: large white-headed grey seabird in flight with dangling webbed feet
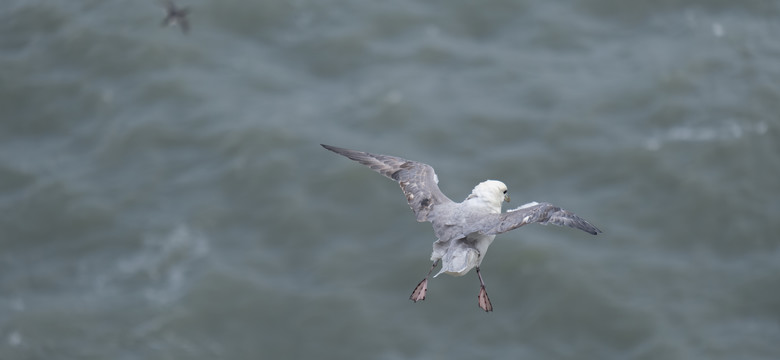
(464, 230)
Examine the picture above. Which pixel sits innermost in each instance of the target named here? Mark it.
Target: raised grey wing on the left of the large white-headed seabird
(418, 181)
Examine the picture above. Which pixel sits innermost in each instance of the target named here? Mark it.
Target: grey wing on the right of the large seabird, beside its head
(543, 213)
